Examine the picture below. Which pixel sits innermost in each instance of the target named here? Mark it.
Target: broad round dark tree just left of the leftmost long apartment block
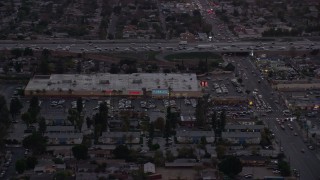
(36, 143)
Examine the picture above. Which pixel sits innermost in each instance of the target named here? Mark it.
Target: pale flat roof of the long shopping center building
(109, 82)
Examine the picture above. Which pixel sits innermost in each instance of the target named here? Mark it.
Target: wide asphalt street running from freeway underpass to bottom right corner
(307, 163)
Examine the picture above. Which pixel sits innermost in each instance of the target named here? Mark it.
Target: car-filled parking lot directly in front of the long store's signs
(56, 109)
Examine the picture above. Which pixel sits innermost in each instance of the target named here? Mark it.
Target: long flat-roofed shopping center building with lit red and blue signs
(104, 84)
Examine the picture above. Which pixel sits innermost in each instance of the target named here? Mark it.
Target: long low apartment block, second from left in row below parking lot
(120, 138)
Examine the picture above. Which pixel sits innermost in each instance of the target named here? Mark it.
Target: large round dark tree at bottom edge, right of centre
(231, 166)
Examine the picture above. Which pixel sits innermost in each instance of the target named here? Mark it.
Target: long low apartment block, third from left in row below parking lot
(194, 137)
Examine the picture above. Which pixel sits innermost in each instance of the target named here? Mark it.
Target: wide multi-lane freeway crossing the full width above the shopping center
(107, 46)
